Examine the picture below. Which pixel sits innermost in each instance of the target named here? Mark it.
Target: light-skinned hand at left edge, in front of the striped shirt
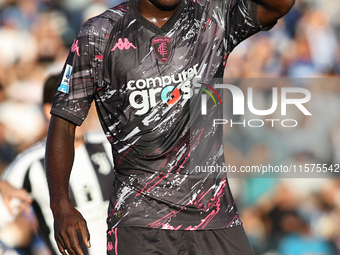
(8, 192)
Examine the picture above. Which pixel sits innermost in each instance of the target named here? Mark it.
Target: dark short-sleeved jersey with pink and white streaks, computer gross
(139, 77)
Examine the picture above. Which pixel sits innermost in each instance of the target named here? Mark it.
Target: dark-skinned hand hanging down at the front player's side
(67, 221)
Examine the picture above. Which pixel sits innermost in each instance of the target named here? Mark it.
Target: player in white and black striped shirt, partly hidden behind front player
(90, 182)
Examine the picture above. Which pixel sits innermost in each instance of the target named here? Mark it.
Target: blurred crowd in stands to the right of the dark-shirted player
(291, 216)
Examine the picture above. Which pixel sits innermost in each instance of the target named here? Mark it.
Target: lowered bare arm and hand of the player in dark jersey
(59, 160)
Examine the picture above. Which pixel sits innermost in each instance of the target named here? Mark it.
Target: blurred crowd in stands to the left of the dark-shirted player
(35, 37)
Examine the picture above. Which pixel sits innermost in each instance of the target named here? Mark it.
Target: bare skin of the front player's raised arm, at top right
(269, 11)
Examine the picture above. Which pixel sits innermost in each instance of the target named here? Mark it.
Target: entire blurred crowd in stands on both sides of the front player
(282, 216)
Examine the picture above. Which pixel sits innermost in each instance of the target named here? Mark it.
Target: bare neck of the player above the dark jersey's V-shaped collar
(154, 14)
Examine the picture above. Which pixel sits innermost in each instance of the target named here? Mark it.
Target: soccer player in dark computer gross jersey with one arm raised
(137, 62)
